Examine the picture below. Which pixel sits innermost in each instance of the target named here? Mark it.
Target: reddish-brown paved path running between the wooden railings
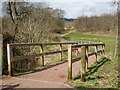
(54, 77)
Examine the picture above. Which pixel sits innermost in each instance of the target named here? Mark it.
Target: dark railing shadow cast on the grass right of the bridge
(94, 68)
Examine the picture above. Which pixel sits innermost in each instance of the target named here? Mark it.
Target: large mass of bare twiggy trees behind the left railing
(25, 22)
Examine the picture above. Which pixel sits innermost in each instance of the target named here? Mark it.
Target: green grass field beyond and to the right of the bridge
(102, 74)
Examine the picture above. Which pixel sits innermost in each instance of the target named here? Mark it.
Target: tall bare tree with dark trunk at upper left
(16, 11)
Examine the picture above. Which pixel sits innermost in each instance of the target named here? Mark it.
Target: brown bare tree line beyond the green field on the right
(103, 24)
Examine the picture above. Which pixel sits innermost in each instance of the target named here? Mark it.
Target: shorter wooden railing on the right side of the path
(85, 53)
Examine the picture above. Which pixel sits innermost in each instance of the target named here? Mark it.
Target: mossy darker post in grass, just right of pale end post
(83, 63)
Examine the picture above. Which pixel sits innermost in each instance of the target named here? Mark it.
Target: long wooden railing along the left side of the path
(12, 58)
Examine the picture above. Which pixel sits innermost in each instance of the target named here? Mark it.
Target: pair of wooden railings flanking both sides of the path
(84, 49)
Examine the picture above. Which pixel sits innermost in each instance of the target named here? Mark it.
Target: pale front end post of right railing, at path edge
(69, 62)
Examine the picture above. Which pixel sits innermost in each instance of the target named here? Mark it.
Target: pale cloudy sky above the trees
(76, 8)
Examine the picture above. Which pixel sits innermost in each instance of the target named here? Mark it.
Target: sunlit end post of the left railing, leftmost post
(9, 59)
